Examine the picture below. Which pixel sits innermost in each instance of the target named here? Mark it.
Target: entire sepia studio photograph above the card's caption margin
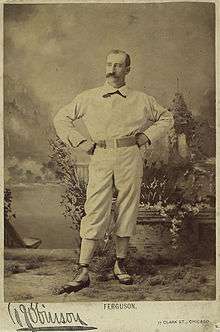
(109, 152)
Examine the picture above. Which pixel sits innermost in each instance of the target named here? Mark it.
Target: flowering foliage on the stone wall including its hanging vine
(177, 193)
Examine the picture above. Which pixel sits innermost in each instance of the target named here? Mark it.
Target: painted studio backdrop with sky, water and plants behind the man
(52, 52)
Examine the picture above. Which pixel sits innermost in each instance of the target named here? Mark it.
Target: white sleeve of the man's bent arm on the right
(163, 121)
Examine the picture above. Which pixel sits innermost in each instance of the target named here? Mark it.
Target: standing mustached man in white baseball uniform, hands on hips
(119, 121)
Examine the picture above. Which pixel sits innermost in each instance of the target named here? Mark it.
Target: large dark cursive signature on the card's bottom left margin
(35, 317)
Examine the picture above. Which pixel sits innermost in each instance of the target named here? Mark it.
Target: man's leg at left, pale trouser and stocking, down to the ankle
(98, 204)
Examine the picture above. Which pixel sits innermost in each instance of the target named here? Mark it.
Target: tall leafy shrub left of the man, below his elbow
(73, 198)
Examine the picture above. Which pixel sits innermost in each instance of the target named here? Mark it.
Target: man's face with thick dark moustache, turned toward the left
(116, 69)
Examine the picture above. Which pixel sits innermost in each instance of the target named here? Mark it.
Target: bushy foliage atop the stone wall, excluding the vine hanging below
(170, 183)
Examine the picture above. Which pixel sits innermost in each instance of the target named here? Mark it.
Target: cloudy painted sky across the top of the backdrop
(59, 49)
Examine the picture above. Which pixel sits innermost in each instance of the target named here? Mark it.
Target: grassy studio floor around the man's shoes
(36, 275)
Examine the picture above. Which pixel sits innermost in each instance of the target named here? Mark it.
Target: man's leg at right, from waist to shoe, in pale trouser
(127, 177)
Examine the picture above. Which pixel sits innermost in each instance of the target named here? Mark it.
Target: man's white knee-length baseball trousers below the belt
(119, 167)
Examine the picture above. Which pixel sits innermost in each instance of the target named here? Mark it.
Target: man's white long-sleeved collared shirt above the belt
(112, 117)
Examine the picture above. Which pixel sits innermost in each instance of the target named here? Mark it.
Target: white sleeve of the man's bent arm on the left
(64, 125)
